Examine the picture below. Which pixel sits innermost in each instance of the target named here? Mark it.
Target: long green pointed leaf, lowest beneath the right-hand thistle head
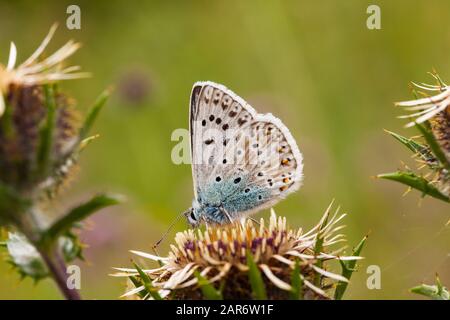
(414, 181)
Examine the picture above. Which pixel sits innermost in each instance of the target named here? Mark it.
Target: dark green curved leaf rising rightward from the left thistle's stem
(78, 214)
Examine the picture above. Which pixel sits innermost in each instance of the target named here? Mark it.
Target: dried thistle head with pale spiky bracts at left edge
(30, 109)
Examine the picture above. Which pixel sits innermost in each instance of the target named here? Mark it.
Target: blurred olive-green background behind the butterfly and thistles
(312, 63)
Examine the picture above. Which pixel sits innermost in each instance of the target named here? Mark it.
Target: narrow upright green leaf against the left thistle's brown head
(46, 134)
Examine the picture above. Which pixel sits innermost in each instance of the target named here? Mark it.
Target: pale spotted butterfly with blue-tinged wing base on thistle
(242, 161)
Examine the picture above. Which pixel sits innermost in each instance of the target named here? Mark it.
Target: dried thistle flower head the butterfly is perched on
(222, 256)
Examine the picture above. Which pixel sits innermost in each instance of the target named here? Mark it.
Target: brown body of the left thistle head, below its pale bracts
(21, 130)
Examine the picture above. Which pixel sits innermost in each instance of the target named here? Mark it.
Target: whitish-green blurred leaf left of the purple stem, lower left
(25, 257)
